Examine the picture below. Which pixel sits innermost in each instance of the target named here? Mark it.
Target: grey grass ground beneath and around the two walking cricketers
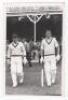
(32, 83)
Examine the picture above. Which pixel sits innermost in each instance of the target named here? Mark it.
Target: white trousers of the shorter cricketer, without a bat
(16, 68)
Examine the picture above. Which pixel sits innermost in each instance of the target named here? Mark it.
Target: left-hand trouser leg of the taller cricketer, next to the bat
(47, 72)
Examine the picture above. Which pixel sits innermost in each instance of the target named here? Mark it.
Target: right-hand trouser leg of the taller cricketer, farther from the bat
(53, 69)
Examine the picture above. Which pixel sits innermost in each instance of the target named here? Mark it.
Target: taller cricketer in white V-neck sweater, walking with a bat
(48, 57)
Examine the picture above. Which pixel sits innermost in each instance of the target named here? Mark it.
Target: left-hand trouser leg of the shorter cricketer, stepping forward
(13, 72)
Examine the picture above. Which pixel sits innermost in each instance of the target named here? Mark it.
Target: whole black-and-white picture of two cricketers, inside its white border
(34, 49)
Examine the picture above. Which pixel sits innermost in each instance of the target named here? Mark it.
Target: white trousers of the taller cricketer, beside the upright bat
(50, 69)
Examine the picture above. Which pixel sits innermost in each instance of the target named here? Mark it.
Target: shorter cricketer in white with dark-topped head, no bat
(16, 58)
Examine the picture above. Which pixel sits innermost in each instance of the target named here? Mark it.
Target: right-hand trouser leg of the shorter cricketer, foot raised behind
(20, 71)
